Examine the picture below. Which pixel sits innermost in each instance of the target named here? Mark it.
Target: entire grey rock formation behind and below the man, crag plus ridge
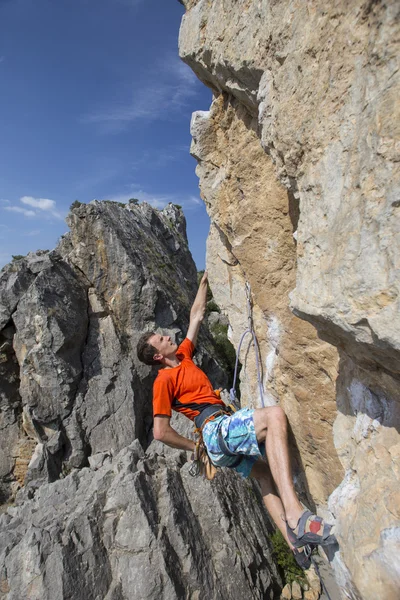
(103, 511)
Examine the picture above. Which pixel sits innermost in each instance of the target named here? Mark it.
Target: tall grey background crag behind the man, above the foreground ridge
(72, 318)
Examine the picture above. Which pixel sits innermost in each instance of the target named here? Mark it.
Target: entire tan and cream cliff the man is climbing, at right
(298, 165)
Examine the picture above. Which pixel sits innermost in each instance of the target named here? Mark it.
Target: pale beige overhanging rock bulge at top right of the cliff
(324, 84)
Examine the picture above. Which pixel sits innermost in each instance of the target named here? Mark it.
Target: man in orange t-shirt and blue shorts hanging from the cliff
(237, 441)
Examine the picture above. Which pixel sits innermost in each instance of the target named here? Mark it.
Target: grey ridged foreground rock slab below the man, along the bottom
(137, 527)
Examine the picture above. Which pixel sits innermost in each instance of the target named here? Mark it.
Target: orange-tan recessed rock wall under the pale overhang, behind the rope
(251, 239)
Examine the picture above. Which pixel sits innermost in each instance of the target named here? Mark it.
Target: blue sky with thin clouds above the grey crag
(94, 103)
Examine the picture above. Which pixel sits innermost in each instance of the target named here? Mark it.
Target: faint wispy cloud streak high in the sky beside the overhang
(165, 92)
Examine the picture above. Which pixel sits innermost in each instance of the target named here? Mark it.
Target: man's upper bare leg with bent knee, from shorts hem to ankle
(271, 427)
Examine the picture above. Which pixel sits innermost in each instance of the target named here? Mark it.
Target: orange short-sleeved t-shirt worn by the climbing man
(185, 388)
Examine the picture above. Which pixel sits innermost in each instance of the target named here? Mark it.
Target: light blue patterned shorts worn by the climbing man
(239, 435)
